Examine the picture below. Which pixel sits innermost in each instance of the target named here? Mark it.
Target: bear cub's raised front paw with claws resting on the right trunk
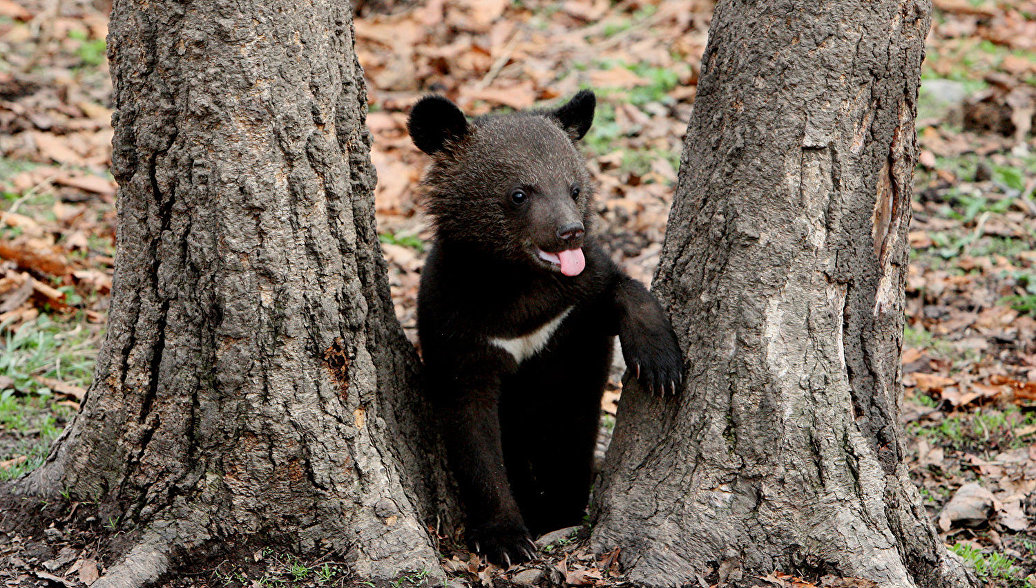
(653, 356)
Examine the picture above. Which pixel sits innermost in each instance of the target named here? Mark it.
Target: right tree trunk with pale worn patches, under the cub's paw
(784, 271)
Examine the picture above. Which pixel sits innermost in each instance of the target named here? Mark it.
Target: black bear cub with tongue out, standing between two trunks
(517, 313)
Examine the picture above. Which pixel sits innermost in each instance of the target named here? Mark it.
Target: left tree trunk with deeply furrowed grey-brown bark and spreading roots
(254, 380)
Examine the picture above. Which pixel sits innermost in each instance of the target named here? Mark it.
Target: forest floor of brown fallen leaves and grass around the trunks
(970, 347)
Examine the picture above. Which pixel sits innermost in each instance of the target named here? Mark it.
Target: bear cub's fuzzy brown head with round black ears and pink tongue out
(513, 185)
